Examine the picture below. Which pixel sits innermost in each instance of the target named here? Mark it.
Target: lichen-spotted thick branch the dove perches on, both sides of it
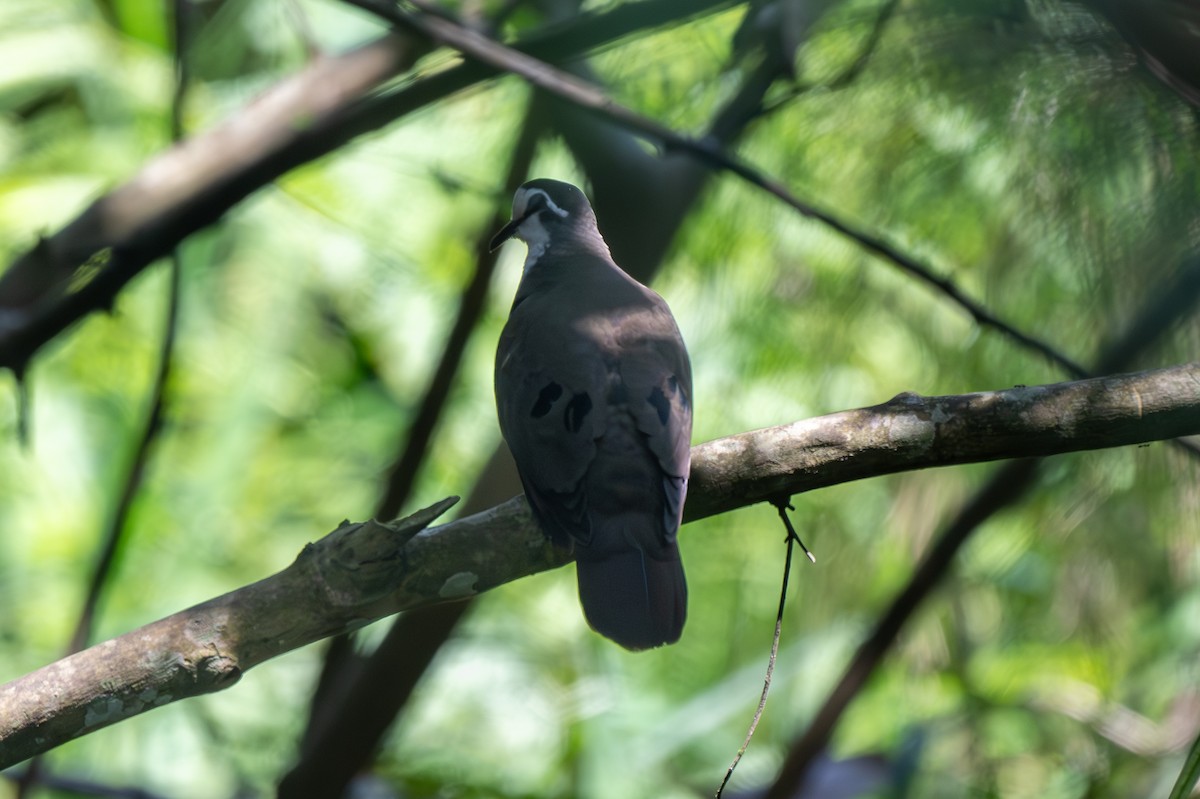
(365, 572)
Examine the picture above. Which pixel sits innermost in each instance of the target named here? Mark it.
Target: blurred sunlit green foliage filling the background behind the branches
(1016, 147)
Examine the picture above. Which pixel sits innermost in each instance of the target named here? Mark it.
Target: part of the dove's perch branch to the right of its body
(913, 432)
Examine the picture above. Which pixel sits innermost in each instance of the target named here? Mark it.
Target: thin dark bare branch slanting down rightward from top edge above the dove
(590, 97)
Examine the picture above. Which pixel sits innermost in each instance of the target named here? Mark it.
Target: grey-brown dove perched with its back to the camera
(595, 399)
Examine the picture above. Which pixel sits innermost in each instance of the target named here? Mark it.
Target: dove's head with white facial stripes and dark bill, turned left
(549, 211)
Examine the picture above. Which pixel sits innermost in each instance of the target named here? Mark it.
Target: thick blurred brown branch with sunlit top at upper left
(184, 190)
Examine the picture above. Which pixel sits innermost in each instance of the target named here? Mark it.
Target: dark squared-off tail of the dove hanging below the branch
(633, 598)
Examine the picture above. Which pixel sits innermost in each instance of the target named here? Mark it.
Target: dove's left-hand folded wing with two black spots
(550, 397)
